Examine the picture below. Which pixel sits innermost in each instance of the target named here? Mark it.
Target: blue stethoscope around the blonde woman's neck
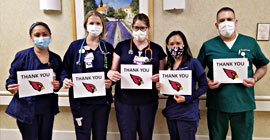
(102, 52)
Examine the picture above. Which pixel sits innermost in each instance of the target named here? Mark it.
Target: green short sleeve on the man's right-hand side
(260, 59)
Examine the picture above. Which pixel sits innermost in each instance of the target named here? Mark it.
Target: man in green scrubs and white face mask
(231, 104)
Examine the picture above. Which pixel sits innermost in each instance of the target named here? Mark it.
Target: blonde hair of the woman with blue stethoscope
(94, 13)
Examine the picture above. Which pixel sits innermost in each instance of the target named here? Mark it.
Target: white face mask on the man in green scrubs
(226, 28)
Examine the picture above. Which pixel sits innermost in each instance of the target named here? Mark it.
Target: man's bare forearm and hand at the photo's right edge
(259, 73)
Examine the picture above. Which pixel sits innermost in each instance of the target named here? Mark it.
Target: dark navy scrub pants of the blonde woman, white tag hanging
(94, 118)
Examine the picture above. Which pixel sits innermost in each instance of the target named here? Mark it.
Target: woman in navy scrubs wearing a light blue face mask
(35, 115)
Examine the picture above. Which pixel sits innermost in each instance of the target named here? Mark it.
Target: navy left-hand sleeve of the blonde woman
(67, 64)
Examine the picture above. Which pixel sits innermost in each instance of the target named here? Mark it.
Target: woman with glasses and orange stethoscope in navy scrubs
(136, 108)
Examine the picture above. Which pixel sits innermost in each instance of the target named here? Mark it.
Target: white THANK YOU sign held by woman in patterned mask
(175, 82)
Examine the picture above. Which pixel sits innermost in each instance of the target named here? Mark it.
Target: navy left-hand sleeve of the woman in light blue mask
(16, 65)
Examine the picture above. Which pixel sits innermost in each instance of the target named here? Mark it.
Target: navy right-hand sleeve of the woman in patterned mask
(202, 83)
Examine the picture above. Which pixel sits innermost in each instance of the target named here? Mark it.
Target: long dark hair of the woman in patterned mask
(187, 55)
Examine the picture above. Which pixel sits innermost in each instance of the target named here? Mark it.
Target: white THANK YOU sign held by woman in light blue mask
(35, 82)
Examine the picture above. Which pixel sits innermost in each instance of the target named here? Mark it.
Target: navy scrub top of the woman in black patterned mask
(189, 110)
